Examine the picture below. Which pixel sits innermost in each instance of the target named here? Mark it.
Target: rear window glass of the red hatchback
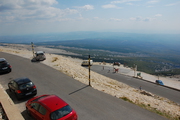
(60, 112)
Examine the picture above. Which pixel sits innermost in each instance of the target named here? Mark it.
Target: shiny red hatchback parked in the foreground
(50, 107)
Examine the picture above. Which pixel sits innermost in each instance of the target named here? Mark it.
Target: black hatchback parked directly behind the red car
(22, 87)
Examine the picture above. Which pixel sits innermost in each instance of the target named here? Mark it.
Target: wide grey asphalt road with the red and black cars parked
(89, 103)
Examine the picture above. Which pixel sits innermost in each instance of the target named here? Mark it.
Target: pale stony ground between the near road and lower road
(70, 66)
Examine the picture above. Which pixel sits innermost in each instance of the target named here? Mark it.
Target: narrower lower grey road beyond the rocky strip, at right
(134, 82)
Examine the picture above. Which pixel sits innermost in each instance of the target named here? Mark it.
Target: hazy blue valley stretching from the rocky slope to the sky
(154, 54)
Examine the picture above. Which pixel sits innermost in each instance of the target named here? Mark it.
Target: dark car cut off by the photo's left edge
(5, 67)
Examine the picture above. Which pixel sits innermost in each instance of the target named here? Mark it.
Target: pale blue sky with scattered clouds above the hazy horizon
(21, 17)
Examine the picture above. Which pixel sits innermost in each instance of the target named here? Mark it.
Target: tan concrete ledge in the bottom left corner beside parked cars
(10, 109)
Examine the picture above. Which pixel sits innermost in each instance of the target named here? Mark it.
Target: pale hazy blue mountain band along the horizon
(165, 38)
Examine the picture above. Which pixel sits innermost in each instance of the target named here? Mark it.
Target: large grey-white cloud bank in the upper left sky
(32, 10)
